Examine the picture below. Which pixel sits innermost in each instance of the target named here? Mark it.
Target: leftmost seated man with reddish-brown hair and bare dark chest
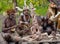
(8, 29)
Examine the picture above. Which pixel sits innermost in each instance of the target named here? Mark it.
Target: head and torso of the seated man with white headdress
(25, 17)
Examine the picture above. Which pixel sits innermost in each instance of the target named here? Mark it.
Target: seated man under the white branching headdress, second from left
(24, 22)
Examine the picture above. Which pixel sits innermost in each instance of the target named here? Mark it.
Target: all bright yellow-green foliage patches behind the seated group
(40, 5)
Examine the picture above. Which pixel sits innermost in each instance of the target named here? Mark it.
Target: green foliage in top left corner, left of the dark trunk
(5, 4)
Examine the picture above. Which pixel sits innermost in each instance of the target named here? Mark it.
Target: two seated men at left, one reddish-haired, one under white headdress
(12, 31)
